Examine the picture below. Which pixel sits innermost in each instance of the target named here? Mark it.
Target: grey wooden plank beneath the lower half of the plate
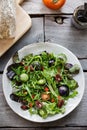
(77, 118)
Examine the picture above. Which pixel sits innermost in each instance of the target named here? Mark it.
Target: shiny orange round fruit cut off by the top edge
(54, 4)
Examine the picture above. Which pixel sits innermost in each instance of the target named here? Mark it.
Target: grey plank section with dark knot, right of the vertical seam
(66, 34)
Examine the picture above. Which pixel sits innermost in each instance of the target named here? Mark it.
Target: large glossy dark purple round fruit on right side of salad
(63, 90)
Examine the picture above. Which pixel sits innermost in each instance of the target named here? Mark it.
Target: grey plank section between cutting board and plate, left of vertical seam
(35, 34)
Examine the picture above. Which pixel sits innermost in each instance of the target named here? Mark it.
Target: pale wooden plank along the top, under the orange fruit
(37, 7)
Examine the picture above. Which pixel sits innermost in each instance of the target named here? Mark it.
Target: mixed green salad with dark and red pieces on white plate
(43, 83)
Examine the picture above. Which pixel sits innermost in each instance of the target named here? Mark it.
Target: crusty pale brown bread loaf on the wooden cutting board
(7, 19)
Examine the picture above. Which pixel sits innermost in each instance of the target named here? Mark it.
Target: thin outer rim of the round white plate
(37, 44)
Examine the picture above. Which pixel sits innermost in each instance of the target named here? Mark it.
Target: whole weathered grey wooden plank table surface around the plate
(45, 27)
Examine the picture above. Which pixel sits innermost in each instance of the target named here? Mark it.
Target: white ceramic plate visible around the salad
(37, 48)
